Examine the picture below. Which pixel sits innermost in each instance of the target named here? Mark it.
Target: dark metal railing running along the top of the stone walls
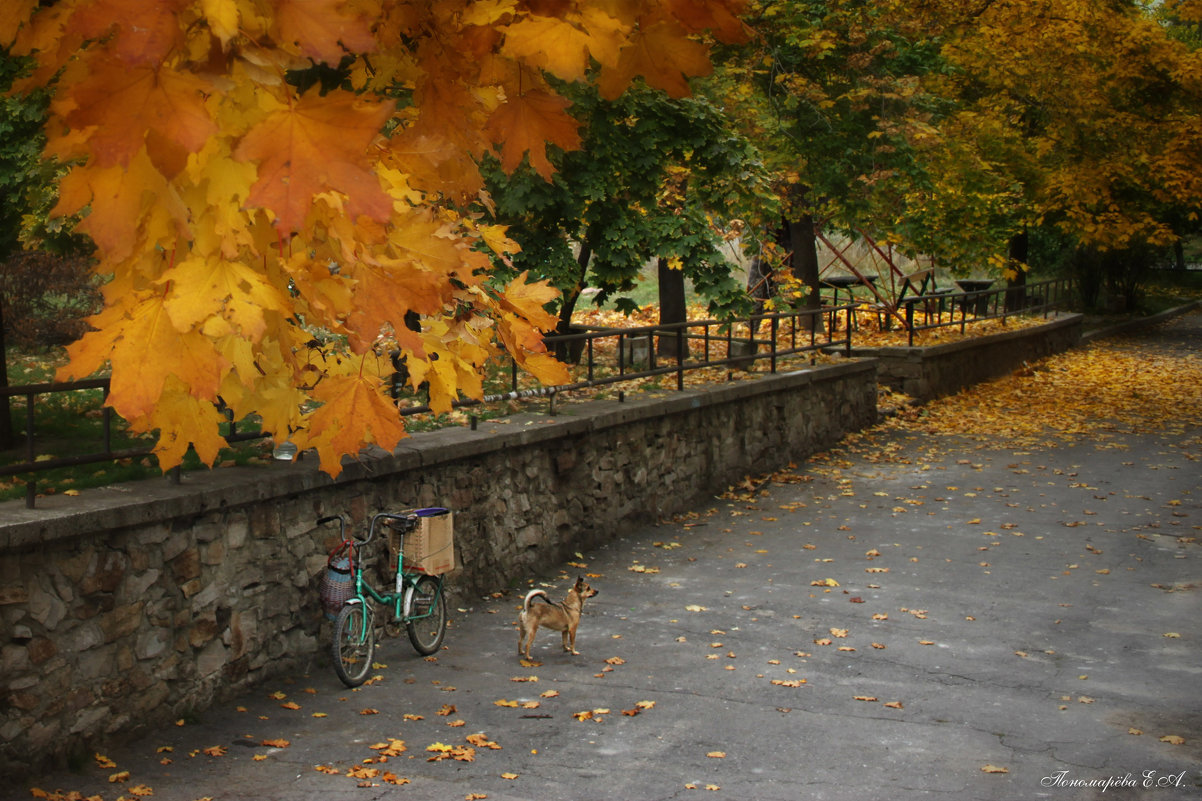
(604, 358)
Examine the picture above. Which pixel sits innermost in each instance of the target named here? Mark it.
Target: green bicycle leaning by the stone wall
(418, 602)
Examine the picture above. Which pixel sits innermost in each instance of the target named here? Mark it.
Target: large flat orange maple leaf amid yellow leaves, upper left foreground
(316, 145)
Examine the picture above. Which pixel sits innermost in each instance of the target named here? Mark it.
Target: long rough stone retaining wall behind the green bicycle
(135, 606)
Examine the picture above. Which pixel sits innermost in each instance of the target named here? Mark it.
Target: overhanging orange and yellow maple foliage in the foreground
(266, 235)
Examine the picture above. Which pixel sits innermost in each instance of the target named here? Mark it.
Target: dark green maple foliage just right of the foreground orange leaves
(654, 179)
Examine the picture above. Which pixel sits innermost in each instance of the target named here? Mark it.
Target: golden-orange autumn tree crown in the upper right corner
(1088, 111)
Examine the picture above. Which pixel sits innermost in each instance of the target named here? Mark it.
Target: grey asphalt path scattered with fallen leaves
(913, 616)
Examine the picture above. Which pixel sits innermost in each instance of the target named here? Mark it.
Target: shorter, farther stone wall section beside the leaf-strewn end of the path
(932, 372)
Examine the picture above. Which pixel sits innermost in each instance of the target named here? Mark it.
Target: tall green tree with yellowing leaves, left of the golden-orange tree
(832, 93)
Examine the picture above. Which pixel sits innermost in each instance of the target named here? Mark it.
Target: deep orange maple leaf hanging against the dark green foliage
(527, 123)
